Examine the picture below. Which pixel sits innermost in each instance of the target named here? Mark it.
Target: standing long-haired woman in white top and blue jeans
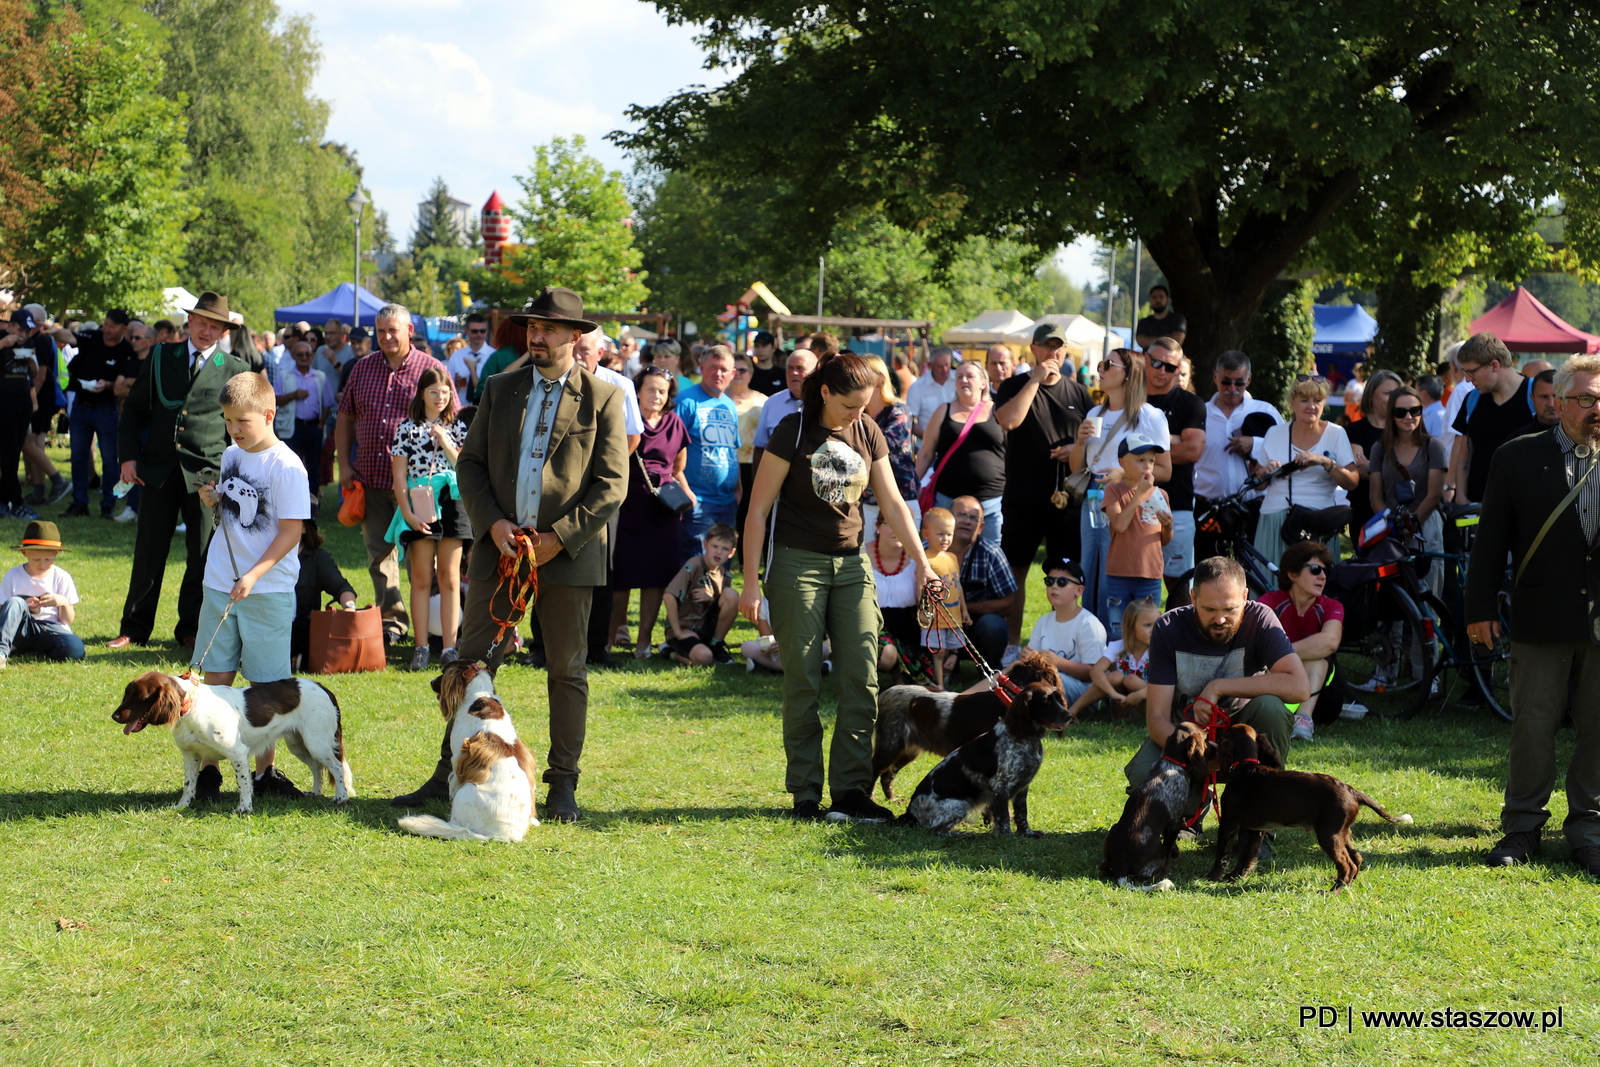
(1122, 382)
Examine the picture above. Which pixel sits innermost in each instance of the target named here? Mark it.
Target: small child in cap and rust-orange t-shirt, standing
(1142, 524)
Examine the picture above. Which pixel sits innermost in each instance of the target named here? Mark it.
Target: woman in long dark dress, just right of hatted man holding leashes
(644, 524)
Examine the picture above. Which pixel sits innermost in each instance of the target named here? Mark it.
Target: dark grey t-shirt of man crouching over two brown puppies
(1186, 660)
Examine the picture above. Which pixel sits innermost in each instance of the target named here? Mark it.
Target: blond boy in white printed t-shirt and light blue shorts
(252, 565)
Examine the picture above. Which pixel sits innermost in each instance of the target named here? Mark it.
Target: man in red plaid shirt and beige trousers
(377, 401)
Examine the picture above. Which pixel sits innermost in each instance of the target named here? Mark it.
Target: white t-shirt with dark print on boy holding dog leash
(258, 490)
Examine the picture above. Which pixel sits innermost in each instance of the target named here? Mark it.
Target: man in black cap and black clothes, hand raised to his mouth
(1041, 414)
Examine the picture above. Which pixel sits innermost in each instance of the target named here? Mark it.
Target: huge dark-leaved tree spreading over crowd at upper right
(1226, 135)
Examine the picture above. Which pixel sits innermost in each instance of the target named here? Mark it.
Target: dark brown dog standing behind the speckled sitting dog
(914, 721)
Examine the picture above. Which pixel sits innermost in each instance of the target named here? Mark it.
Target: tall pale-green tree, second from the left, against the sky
(273, 226)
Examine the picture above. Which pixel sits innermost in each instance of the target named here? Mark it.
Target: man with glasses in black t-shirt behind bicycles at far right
(1492, 417)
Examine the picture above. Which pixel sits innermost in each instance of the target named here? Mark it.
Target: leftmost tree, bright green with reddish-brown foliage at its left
(90, 162)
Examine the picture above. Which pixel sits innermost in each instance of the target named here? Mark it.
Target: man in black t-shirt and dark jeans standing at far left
(103, 358)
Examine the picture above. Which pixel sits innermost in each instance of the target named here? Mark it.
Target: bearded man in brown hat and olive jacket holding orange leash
(548, 452)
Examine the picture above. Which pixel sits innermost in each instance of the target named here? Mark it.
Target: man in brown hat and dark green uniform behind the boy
(174, 404)
